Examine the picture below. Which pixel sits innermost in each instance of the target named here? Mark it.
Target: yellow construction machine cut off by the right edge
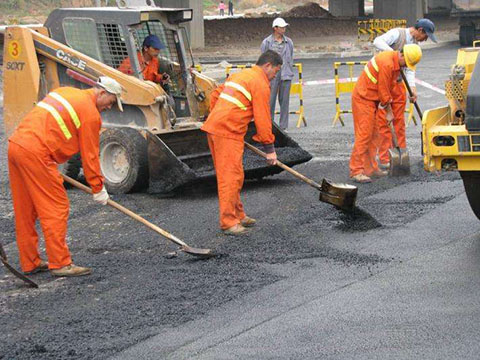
(451, 134)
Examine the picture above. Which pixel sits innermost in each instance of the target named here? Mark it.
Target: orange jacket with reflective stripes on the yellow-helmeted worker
(379, 77)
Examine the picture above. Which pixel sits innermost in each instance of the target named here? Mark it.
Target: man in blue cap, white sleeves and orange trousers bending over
(396, 39)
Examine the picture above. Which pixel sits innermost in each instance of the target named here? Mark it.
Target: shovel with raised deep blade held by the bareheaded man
(342, 196)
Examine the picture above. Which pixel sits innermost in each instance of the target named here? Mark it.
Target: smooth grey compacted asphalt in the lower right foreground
(424, 304)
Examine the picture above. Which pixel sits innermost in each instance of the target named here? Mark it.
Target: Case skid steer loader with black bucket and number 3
(156, 142)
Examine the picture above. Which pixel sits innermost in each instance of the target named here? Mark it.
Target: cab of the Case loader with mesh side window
(112, 35)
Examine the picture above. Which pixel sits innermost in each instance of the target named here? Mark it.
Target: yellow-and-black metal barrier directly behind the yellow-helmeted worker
(346, 86)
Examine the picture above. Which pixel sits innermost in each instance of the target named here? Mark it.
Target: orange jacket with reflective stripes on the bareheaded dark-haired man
(245, 95)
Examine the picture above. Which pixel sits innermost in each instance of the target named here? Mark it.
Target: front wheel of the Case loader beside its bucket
(123, 159)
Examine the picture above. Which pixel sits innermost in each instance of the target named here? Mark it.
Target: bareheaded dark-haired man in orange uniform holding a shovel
(243, 97)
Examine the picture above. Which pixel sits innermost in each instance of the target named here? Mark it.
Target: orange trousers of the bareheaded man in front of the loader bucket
(227, 157)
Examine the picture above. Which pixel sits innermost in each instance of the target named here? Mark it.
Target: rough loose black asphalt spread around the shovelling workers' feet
(136, 288)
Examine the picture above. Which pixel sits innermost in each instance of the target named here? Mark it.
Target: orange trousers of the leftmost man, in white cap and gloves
(38, 192)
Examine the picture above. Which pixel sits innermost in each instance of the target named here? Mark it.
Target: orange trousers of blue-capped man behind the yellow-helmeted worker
(384, 139)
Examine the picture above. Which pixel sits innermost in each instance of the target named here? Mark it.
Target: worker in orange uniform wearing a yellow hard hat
(373, 91)
